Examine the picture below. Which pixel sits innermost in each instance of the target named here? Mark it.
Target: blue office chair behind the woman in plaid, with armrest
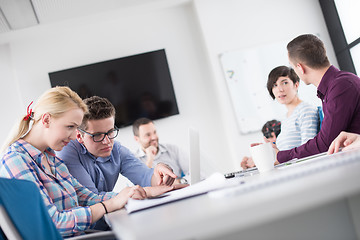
(23, 214)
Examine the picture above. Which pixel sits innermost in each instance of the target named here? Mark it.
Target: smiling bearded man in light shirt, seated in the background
(153, 153)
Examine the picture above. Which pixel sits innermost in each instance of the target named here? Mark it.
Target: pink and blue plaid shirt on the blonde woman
(66, 199)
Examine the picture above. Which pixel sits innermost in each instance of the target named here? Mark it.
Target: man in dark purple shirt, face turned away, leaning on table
(339, 92)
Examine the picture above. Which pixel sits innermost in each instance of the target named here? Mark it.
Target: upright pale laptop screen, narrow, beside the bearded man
(194, 160)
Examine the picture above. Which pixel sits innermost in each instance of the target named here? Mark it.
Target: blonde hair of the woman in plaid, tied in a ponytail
(55, 101)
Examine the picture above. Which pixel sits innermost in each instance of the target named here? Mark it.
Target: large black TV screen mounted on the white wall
(138, 85)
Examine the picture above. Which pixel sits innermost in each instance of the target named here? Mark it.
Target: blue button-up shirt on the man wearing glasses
(100, 174)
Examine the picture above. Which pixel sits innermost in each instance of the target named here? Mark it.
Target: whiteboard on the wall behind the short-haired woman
(246, 73)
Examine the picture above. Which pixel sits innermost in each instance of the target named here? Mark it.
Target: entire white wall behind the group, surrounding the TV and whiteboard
(193, 35)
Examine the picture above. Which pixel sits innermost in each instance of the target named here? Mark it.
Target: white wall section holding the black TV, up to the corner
(47, 48)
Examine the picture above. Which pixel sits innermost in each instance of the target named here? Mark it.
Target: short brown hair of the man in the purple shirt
(308, 49)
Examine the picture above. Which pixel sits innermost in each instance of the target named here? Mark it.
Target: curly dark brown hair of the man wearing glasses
(99, 108)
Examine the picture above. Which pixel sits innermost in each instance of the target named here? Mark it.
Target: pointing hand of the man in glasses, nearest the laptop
(163, 175)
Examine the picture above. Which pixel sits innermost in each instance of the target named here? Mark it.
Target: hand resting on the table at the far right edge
(346, 141)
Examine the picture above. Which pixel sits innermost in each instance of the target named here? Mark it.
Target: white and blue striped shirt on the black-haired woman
(299, 127)
